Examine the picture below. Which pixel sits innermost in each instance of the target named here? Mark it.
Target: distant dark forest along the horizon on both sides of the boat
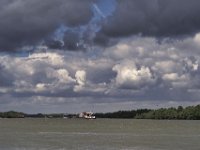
(180, 113)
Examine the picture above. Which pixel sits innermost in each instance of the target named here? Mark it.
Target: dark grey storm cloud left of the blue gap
(28, 22)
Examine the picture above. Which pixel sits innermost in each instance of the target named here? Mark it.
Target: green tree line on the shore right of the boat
(180, 113)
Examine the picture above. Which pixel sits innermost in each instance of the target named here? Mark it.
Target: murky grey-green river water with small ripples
(99, 134)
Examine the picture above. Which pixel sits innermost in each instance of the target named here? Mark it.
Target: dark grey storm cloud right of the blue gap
(154, 18)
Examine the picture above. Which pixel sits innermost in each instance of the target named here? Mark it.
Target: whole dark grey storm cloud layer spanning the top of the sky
(28, 23)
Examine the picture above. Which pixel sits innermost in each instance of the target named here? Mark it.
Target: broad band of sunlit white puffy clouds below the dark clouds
(134, 69)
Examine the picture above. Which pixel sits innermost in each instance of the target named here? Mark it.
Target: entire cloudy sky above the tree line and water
(98, 55)
